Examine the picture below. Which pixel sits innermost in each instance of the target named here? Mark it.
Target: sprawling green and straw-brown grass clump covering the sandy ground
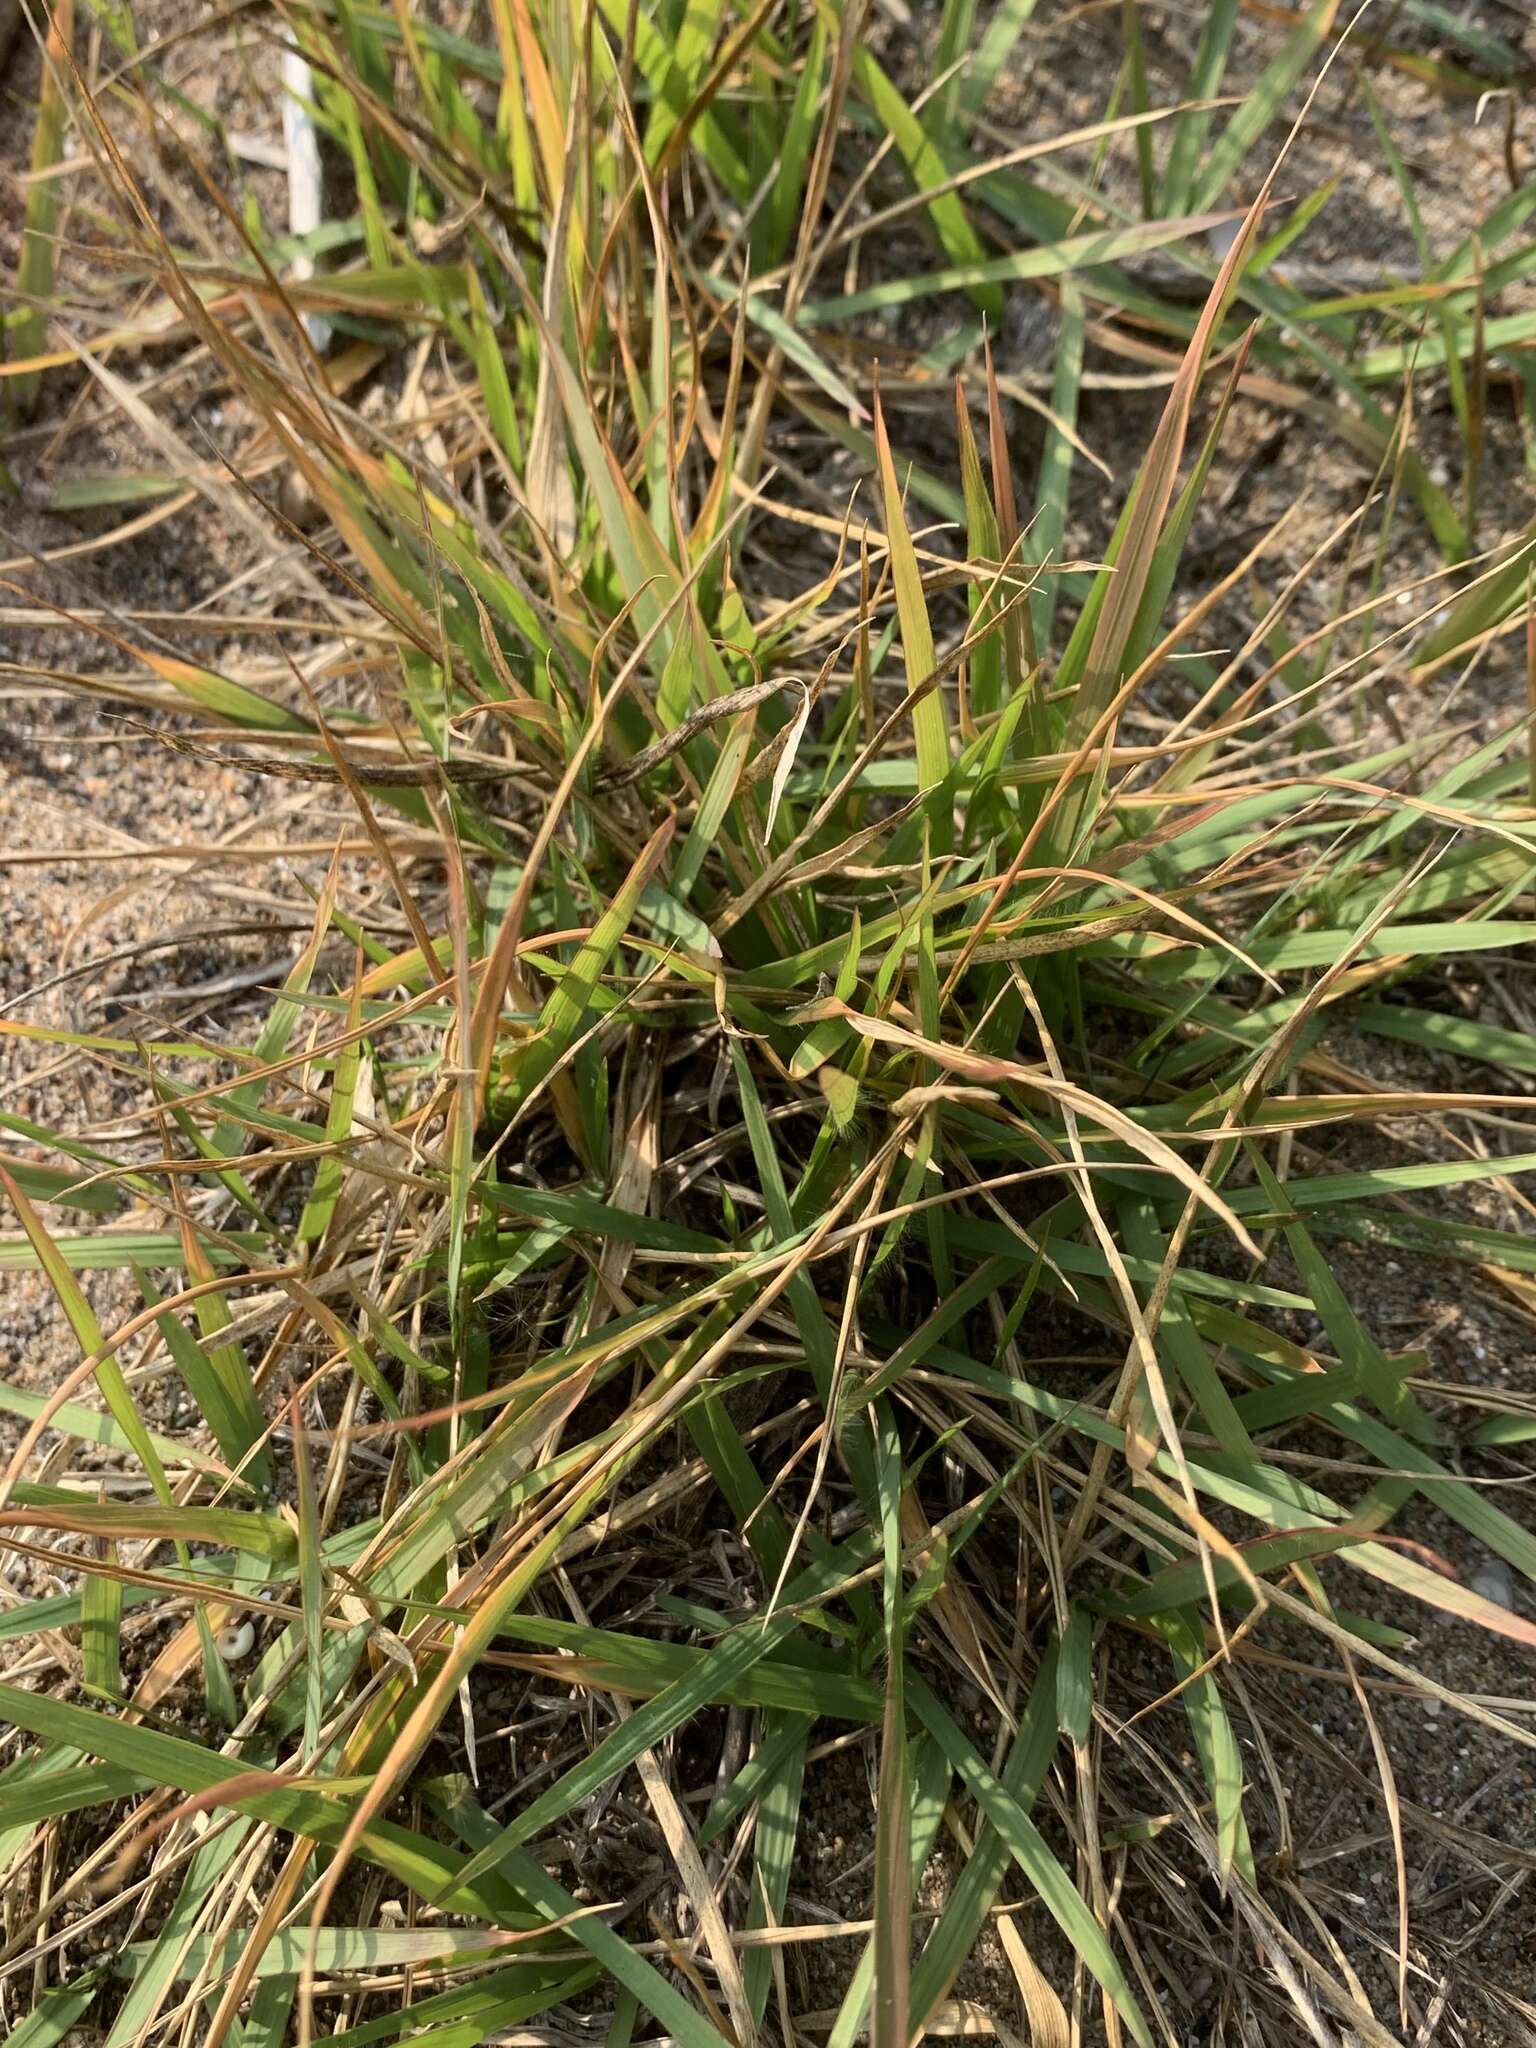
(781, 1207)
